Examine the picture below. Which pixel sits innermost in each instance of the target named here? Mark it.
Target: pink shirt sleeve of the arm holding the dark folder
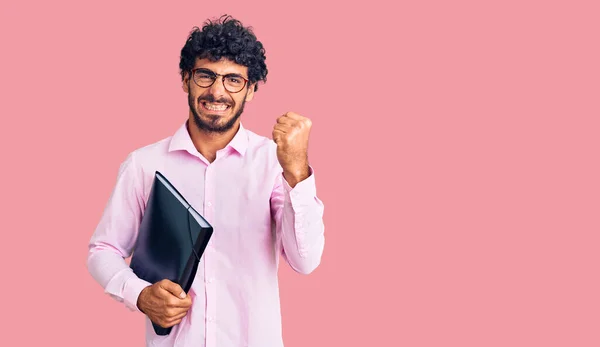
(115, 235)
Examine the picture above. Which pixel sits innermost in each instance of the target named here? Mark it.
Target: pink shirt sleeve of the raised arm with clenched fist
(298, 217)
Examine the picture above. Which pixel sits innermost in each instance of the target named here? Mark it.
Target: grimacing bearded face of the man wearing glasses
(214, 108)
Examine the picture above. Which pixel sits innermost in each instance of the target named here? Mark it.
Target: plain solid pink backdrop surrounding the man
(456, 147)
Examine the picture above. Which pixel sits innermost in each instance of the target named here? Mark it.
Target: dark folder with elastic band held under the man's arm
(171, 240)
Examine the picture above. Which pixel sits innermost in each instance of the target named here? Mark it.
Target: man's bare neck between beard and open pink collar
(208, 143)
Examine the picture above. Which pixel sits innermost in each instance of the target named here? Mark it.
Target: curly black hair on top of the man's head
(225, 38)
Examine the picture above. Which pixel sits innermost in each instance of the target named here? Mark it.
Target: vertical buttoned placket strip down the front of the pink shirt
(209, 268)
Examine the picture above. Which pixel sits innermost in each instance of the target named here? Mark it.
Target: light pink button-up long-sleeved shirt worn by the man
(256, 217)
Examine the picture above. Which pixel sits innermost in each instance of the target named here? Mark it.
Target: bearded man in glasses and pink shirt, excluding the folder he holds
(258, 194)
